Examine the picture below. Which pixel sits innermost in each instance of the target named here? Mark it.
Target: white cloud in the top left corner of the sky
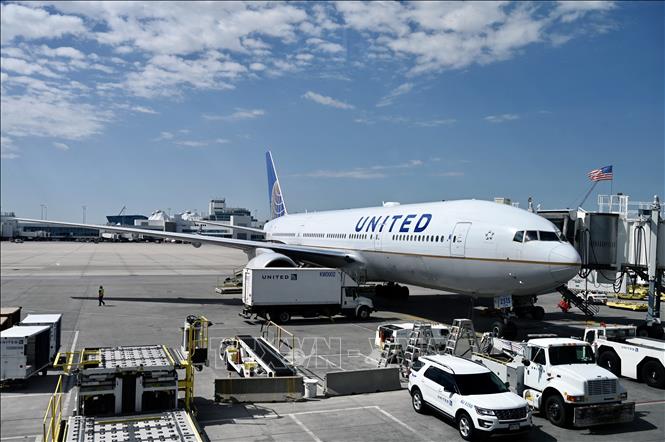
(28, 23)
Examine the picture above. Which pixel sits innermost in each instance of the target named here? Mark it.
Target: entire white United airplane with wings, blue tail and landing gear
(471, 247)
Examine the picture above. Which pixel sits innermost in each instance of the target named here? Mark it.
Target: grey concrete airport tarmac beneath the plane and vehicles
(151, 288)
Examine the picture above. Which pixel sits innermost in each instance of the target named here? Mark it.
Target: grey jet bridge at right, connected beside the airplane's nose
(623, 239)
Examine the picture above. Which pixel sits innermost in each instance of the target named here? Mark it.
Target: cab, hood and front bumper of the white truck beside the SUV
(562, 380)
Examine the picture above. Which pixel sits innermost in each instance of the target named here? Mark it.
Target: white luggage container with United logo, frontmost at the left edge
(25, 351)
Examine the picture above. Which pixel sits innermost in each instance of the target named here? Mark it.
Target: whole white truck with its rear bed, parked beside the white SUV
(559, 378)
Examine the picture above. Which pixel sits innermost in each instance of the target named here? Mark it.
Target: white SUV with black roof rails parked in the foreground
(470, 394)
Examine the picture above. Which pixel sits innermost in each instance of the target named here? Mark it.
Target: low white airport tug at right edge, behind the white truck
(619, 350)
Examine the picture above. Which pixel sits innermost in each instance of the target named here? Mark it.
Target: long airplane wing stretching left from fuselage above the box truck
(312, 255)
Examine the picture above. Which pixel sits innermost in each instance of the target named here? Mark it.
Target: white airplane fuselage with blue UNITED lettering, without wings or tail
(464, 246)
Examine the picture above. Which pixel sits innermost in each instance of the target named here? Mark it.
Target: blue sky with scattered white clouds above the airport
(166, 106)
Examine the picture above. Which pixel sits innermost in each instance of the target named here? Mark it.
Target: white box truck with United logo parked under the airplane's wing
(278, 293)
